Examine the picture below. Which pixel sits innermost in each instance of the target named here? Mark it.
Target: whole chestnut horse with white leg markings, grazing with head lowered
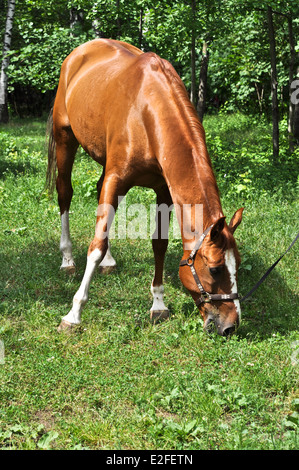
(131, 113)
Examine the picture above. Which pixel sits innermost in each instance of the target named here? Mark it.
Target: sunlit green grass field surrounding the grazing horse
(117, 381)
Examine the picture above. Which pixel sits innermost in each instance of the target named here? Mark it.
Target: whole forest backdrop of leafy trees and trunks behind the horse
(231, 54)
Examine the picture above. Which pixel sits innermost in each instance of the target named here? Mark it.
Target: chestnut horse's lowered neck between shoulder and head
(186, 166)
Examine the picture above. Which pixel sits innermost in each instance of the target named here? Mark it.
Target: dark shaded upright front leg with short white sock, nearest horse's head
(159, 311)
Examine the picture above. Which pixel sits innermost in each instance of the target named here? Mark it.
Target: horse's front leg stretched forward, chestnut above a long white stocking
(113, 187)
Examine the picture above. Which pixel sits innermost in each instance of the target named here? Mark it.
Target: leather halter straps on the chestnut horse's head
(205, 296)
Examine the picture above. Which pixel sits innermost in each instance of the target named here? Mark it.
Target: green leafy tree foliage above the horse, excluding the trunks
(236, 33)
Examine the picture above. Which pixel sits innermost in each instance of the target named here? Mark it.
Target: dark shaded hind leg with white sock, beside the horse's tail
(66, 147)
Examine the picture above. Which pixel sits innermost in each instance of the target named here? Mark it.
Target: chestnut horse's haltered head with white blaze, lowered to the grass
(210, 275)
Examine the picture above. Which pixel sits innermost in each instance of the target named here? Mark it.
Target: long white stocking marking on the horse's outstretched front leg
(81, 296)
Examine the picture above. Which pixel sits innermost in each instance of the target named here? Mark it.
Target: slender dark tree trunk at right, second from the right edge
(275, 114)
